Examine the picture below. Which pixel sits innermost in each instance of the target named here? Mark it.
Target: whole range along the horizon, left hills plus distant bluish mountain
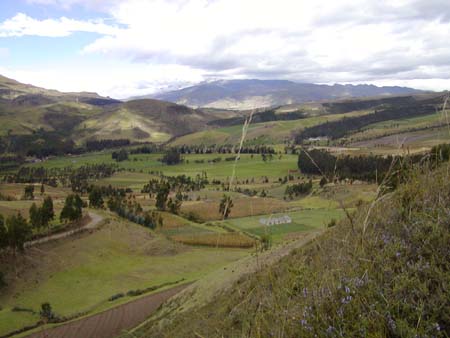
(80, 117)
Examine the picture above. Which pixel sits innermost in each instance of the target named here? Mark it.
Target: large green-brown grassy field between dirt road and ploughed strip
(79, 274)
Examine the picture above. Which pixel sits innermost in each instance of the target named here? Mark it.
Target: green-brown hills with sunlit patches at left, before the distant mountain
(25, 109)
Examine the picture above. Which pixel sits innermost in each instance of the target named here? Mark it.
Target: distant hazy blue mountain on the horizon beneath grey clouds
(248, 94)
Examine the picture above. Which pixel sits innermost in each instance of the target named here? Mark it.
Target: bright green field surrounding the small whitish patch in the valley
(302, 221)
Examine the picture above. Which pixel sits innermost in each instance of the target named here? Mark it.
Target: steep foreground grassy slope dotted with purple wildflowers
(390, 278)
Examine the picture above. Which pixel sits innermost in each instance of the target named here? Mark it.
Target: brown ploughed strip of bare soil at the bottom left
(111, 323)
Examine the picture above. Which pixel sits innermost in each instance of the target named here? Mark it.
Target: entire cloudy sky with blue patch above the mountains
(123, 48)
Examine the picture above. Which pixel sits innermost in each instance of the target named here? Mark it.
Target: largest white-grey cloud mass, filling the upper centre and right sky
(301, 40)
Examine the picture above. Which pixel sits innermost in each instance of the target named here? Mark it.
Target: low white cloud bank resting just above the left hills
(123, 82)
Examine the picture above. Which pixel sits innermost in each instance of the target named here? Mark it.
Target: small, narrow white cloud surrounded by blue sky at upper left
(21, 24)
